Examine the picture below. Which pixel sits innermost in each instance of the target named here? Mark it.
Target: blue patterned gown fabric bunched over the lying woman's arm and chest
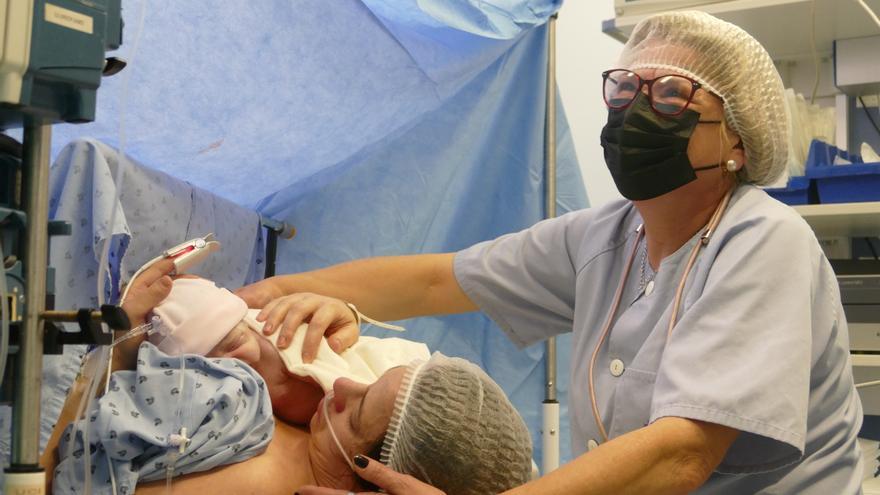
(223, 404)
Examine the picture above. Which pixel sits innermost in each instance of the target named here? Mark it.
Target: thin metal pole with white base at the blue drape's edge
(550, 430)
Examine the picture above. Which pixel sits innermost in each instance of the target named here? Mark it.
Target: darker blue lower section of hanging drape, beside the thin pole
(468, 171)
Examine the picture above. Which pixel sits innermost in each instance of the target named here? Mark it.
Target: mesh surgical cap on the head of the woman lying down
(454, 428)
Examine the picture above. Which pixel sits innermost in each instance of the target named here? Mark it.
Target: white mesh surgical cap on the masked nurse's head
(730, 63)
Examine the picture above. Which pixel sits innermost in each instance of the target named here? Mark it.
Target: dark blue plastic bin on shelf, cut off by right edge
(847, 183)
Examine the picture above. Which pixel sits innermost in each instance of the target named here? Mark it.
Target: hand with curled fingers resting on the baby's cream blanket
(326, 316)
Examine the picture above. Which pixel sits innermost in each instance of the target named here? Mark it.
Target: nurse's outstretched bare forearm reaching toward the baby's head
(388, 288)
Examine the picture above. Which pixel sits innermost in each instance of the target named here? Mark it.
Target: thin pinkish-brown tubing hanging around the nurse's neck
(640, 232)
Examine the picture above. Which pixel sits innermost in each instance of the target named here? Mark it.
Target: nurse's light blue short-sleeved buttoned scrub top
(761, 343)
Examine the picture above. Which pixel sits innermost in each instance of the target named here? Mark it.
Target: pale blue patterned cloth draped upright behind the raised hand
(82, 192)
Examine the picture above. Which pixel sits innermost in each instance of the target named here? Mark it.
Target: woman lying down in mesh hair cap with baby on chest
(443, 420)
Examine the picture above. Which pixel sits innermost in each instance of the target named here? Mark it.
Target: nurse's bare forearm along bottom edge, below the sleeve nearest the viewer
(670, 456)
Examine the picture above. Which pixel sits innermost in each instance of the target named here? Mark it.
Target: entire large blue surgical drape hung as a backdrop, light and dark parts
(372, 126)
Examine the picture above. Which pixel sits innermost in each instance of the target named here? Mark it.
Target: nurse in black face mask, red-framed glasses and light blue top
(710, 349)
